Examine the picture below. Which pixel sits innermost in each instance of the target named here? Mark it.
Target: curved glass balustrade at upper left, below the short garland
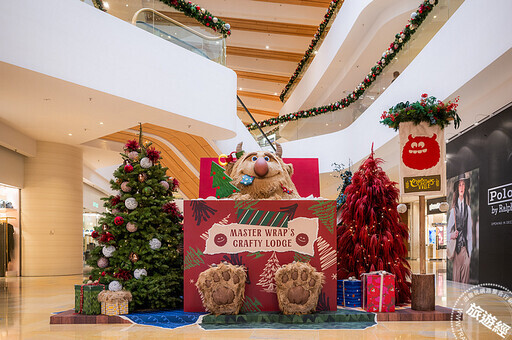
(208, 46)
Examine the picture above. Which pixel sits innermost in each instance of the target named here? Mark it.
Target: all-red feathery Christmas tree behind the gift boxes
(371, 236)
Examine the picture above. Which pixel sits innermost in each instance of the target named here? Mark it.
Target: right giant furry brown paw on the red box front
(298, 288)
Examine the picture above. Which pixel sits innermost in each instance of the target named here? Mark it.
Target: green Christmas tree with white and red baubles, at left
(141, 234)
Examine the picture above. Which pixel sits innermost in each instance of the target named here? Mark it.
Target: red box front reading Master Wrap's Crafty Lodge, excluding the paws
(261, 235)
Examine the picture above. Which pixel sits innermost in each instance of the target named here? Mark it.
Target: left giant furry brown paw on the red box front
(222, 288)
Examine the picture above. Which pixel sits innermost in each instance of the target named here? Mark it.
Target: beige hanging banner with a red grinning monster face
(422, 155)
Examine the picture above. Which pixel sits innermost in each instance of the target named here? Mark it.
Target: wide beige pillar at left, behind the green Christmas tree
(51, 211)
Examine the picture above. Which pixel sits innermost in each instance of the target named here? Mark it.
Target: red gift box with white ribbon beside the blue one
(378, 291)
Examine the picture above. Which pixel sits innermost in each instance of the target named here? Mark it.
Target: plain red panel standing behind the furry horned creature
(305, 176)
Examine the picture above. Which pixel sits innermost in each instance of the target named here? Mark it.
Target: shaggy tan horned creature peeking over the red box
(262, 175)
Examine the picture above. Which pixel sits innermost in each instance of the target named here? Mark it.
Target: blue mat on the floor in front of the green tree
(165, 319)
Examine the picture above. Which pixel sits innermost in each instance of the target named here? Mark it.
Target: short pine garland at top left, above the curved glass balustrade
(202, 15)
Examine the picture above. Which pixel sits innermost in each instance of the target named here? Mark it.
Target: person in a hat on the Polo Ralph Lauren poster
(460, 229)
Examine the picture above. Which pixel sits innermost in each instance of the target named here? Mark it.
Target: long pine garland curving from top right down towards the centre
(401, 39)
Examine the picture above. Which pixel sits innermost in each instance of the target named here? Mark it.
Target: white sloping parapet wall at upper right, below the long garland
(470, 41)
